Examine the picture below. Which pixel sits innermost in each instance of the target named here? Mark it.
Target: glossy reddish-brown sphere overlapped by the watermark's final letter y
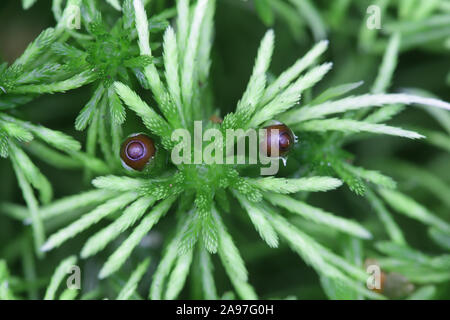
(282, 136)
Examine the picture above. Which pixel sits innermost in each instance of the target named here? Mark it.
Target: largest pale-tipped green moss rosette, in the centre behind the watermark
(201, 190)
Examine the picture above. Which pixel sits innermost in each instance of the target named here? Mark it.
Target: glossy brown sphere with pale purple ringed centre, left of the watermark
(136, 151)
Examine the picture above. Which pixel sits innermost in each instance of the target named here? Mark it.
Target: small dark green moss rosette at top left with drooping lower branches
(111, 54)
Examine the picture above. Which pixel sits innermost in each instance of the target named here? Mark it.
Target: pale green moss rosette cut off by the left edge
(23, 81)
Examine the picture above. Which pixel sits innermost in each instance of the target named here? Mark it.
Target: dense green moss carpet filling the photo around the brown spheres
(206, 230)
